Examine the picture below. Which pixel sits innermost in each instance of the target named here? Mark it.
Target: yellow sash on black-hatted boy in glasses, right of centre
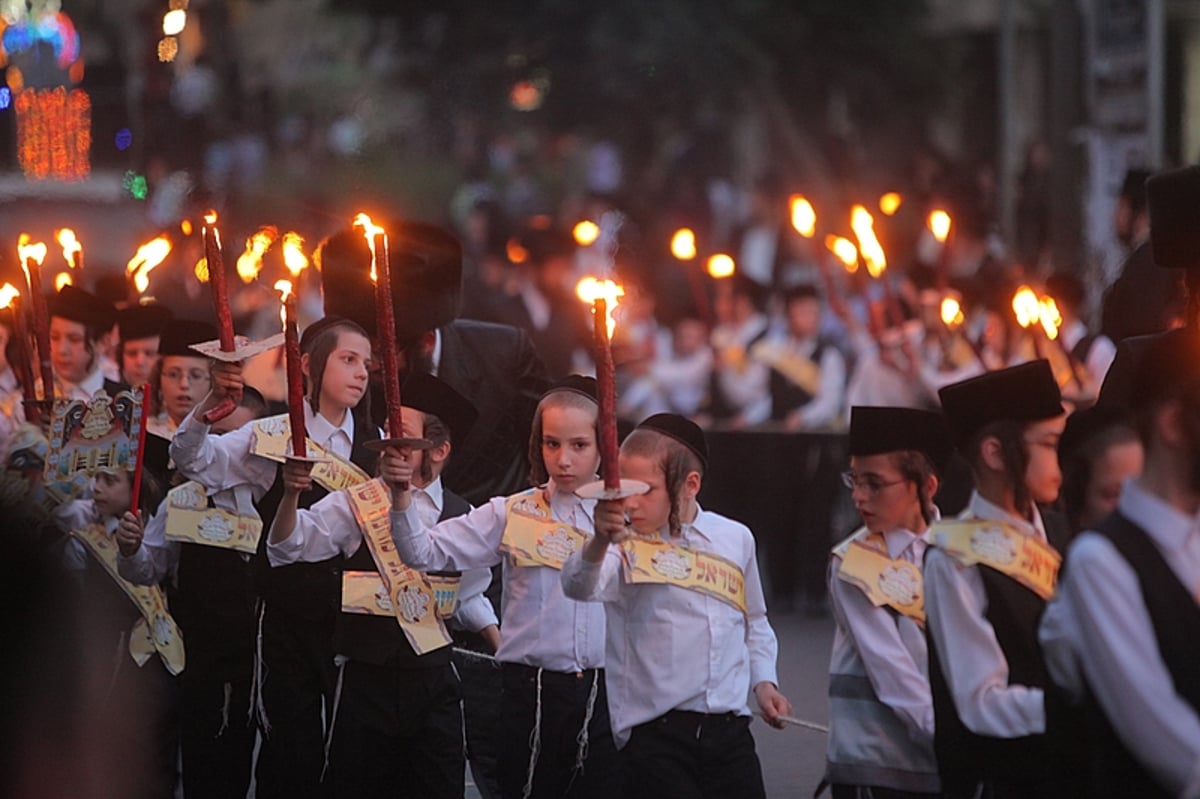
(896, 584)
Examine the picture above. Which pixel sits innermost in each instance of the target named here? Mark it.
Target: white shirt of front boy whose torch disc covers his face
(670, 648)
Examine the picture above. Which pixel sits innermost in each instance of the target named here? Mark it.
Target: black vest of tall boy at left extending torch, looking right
(309, 592)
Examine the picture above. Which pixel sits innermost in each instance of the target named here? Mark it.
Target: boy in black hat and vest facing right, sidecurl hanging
(1000, 732)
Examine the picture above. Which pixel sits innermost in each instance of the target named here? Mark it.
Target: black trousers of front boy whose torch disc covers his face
(693, 756)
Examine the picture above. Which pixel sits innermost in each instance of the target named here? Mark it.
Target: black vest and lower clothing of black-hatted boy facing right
(965, 758)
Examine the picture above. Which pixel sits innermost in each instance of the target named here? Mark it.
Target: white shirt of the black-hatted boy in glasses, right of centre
(891, 648)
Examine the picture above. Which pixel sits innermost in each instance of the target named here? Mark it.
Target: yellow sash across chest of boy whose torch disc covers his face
(647, 561)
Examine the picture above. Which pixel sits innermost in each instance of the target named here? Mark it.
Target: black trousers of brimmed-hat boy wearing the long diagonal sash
(398, 734)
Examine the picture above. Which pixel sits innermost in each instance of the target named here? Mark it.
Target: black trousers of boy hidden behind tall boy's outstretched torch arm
(217, 724)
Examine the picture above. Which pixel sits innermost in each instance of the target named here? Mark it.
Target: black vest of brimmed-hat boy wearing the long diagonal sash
(379, 639)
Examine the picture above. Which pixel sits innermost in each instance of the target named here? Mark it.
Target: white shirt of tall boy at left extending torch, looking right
(225, 461)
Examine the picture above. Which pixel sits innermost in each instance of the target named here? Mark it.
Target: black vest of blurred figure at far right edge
(1175, 617)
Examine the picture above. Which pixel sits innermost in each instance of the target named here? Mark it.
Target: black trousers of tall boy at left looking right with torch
(298, 696)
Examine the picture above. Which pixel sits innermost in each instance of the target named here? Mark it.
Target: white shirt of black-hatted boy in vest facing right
(974, 664)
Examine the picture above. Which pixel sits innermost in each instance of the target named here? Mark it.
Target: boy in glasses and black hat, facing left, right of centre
(881, 734)
